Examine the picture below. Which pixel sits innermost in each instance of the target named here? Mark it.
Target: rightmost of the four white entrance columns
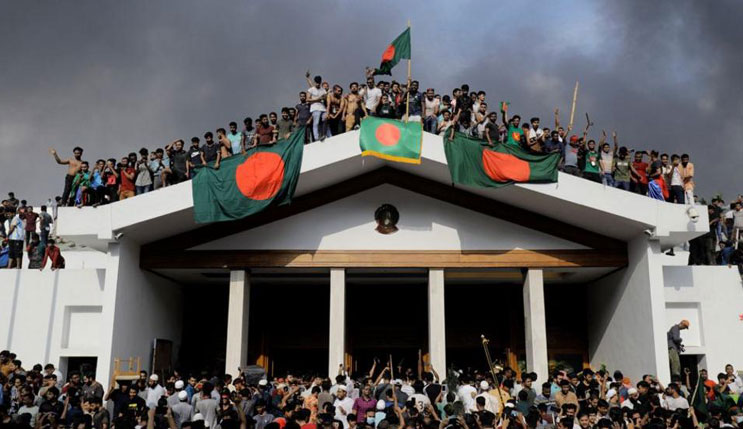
(535, 324)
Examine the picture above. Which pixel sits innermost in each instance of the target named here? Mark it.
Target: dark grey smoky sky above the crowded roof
(114, 76)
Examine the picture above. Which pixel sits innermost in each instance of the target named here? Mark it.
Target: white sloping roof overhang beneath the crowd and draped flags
(573, 201)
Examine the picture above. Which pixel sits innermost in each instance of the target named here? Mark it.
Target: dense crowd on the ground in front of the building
(383, 398)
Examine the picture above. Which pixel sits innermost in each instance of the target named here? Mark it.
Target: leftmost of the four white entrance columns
(238, 312)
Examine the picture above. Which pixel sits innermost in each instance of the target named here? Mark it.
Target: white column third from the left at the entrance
(436, 320)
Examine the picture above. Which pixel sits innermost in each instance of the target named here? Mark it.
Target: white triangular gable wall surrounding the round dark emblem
(425, 223)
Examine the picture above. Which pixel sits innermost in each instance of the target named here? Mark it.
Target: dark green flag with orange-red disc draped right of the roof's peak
(473, 162)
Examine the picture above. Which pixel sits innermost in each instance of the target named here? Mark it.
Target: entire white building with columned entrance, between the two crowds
(570, 272)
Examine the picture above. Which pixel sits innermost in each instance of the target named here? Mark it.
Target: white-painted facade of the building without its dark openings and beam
(105, 306)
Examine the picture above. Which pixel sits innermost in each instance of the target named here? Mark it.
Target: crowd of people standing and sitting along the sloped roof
(325, 111)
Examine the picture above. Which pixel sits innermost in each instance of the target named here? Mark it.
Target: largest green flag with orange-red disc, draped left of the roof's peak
(247, 184)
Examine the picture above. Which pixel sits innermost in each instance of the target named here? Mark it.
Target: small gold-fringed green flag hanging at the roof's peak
(391, 139)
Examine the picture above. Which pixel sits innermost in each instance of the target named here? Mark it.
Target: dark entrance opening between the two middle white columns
(386, 314)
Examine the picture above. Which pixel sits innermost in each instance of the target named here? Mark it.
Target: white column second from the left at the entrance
(337, 334)
